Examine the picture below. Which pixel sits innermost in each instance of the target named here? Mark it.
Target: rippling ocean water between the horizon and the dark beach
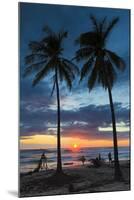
(29, 159)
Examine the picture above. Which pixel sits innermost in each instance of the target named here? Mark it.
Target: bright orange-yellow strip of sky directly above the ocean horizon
(49, 141)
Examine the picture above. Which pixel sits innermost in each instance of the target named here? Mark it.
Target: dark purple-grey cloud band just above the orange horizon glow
(87, 122)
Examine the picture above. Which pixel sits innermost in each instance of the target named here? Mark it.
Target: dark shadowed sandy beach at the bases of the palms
(80, 179)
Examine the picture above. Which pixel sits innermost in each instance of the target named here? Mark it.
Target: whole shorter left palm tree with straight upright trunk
(46, 57)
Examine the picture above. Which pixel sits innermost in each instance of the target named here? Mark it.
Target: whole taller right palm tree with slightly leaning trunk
(100, 67)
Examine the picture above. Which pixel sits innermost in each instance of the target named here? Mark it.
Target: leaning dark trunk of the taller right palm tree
(117, 172)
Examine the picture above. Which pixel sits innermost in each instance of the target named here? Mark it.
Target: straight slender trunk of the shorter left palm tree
(59, 163)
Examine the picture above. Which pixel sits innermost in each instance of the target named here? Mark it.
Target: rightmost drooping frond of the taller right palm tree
(116, 60)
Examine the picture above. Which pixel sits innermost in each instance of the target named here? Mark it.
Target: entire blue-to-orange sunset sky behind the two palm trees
(85, 117)
